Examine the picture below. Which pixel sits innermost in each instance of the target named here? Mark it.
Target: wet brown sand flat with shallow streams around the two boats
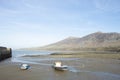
(78, 69)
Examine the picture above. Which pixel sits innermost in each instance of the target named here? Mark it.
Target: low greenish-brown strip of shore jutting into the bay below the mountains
(79, 55)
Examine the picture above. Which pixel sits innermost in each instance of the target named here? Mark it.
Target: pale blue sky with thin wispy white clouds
(34, 23)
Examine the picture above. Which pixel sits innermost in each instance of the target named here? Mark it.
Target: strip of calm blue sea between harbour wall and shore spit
(18, 53)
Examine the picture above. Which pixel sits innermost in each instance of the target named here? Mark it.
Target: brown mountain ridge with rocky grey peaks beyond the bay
(94, 41)
